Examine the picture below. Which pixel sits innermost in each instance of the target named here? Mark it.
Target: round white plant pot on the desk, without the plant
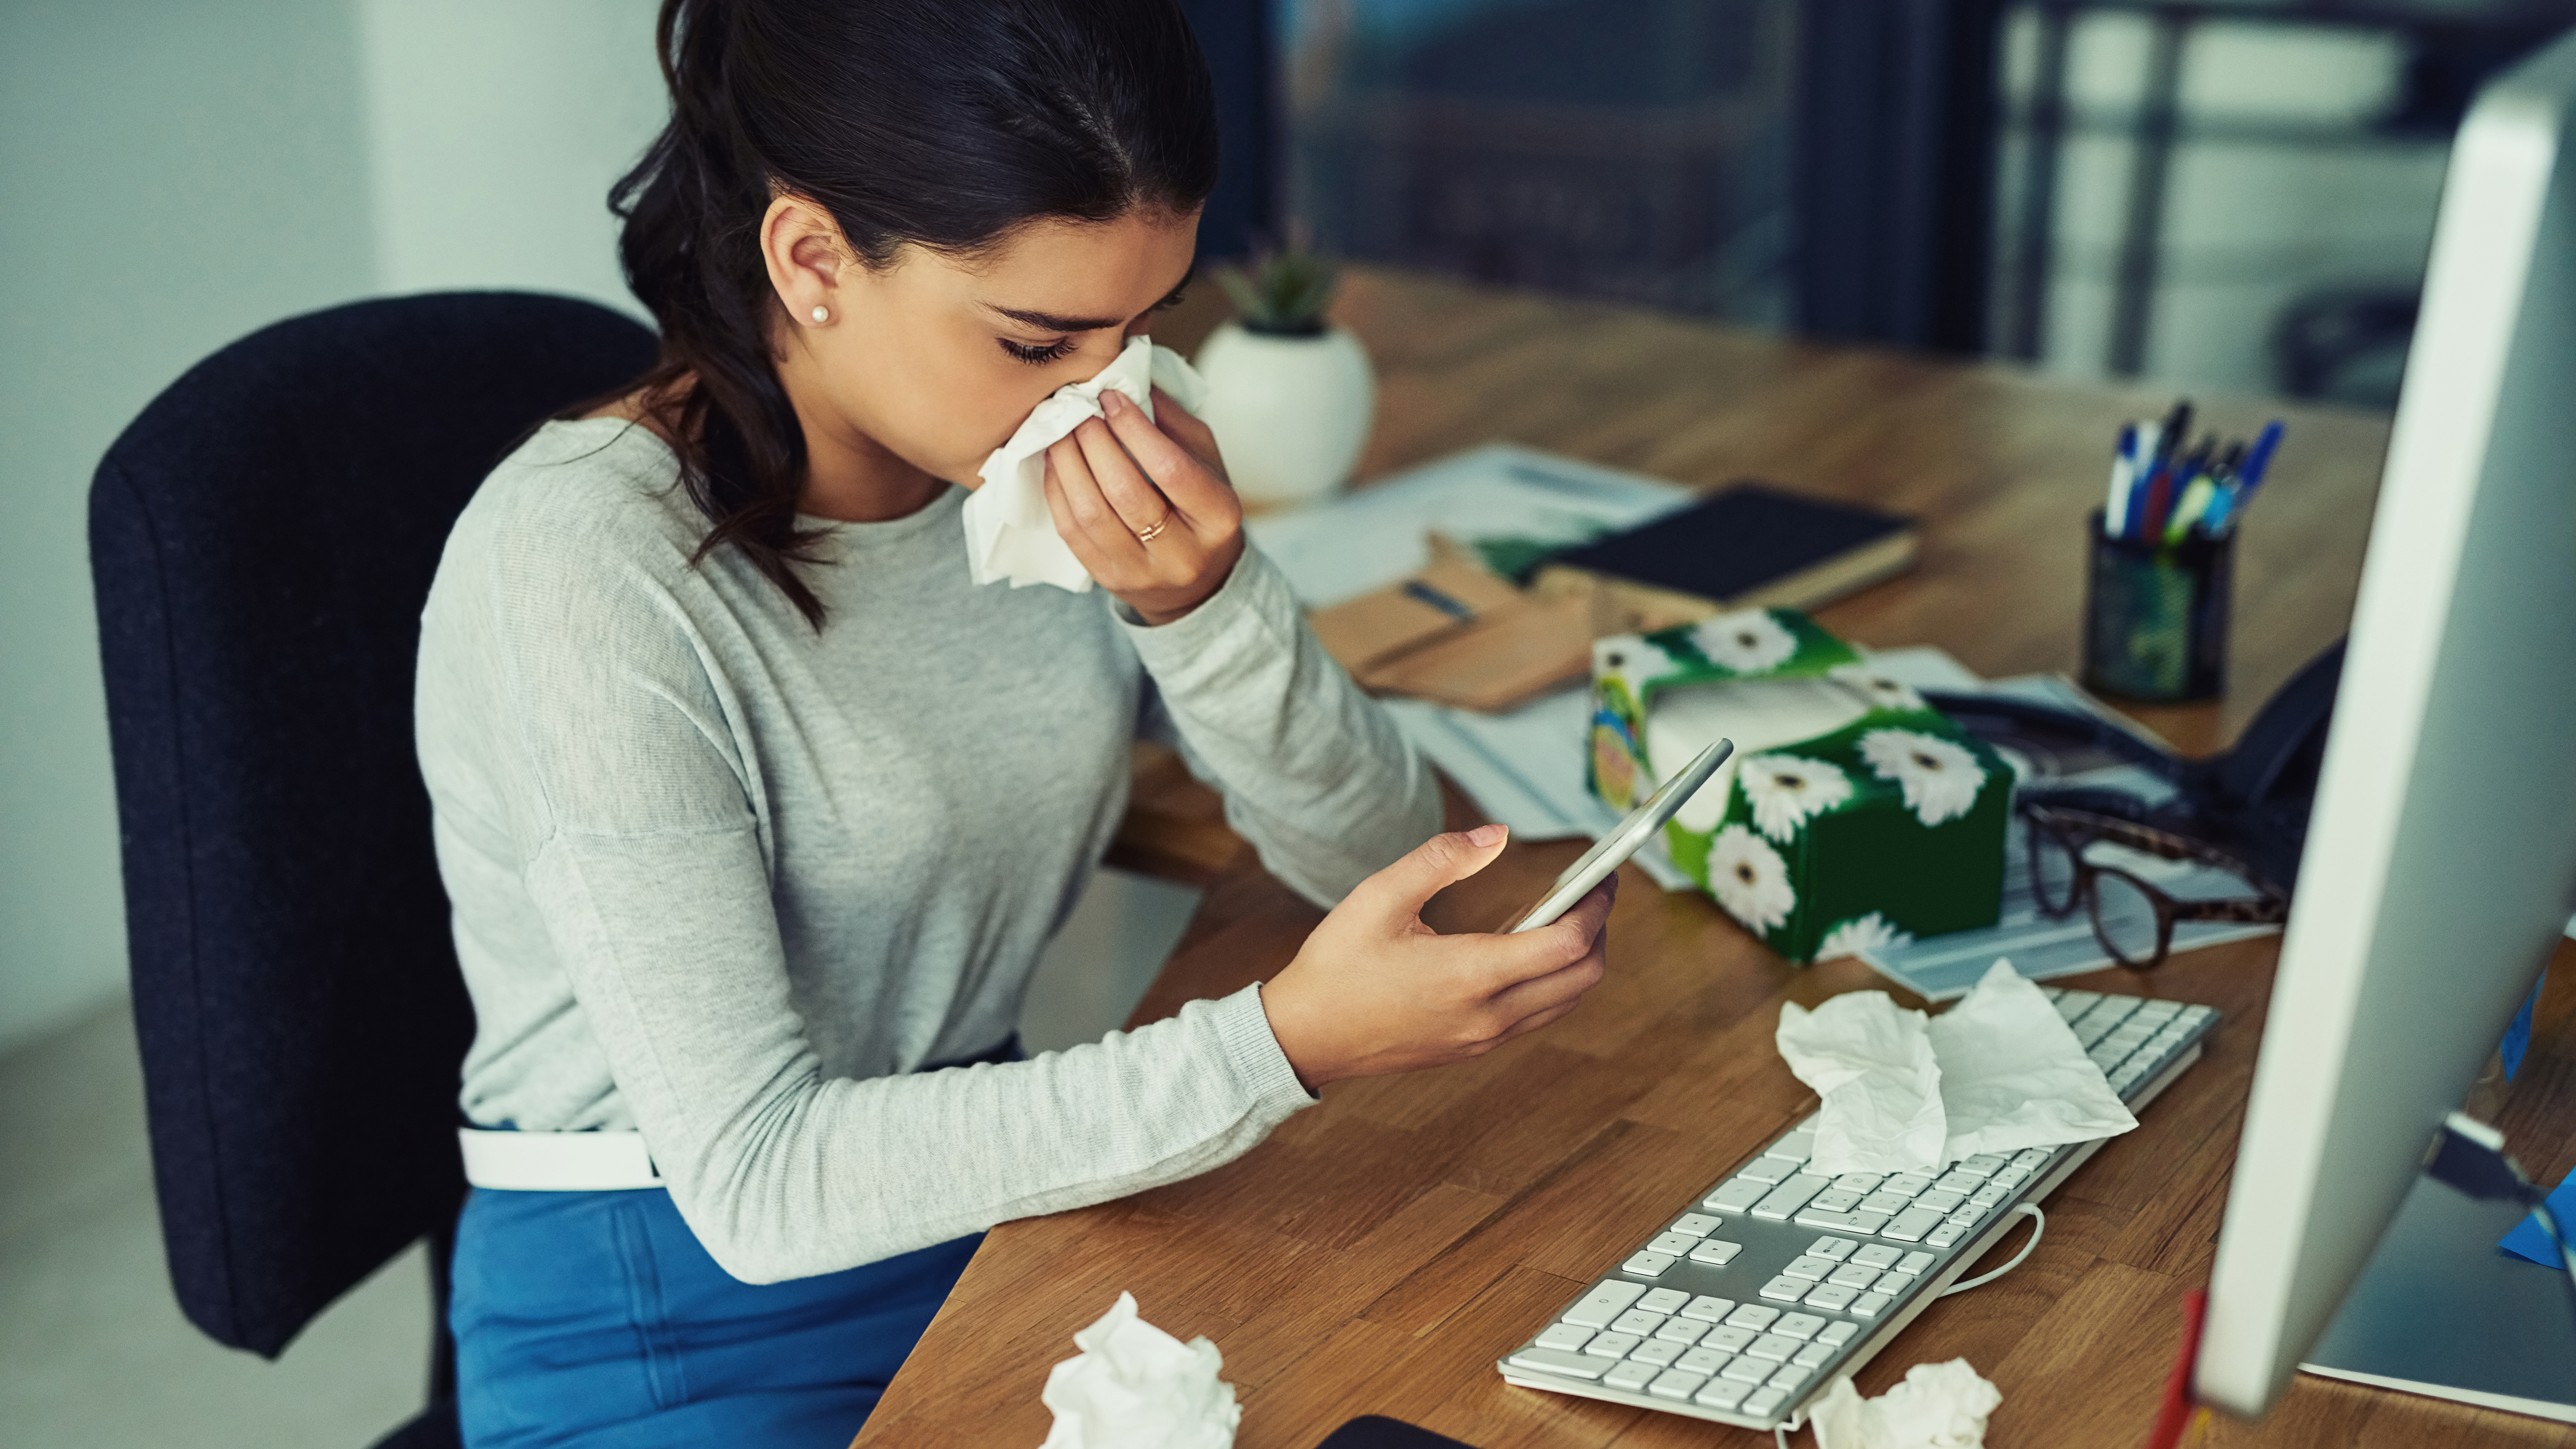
(1289, 414)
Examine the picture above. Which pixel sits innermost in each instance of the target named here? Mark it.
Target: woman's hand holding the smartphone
(1377, 991)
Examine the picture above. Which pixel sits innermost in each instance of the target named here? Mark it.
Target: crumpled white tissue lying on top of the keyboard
(1995, 1074)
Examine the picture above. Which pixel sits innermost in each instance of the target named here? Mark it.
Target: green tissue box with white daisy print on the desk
(1851, 813)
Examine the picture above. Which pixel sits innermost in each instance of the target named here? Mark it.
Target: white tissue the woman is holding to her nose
(1009, 530)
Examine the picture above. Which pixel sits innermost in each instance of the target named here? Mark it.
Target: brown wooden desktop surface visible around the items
(1382, 1249)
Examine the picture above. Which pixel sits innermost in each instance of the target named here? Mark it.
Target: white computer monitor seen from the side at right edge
(2443, 850)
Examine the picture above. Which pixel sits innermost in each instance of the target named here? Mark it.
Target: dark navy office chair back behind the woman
(261, 543)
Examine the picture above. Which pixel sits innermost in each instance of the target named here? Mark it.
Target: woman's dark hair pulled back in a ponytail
(913, 122)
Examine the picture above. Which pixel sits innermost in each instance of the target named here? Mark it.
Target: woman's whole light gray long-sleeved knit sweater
(733, 883)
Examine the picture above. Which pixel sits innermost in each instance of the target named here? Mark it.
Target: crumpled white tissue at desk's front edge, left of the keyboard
(1140, 1388)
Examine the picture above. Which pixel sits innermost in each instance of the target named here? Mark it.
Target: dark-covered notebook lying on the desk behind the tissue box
(1743, 548)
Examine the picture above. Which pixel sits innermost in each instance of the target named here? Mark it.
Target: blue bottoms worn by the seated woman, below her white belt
(596, 1321)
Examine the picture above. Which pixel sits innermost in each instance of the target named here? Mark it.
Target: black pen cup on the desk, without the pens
(2157, 618)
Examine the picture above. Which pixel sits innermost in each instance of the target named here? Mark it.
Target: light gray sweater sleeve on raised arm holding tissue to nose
(1315, 775)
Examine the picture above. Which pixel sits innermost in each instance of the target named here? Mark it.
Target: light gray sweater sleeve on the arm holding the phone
(650, 870)
